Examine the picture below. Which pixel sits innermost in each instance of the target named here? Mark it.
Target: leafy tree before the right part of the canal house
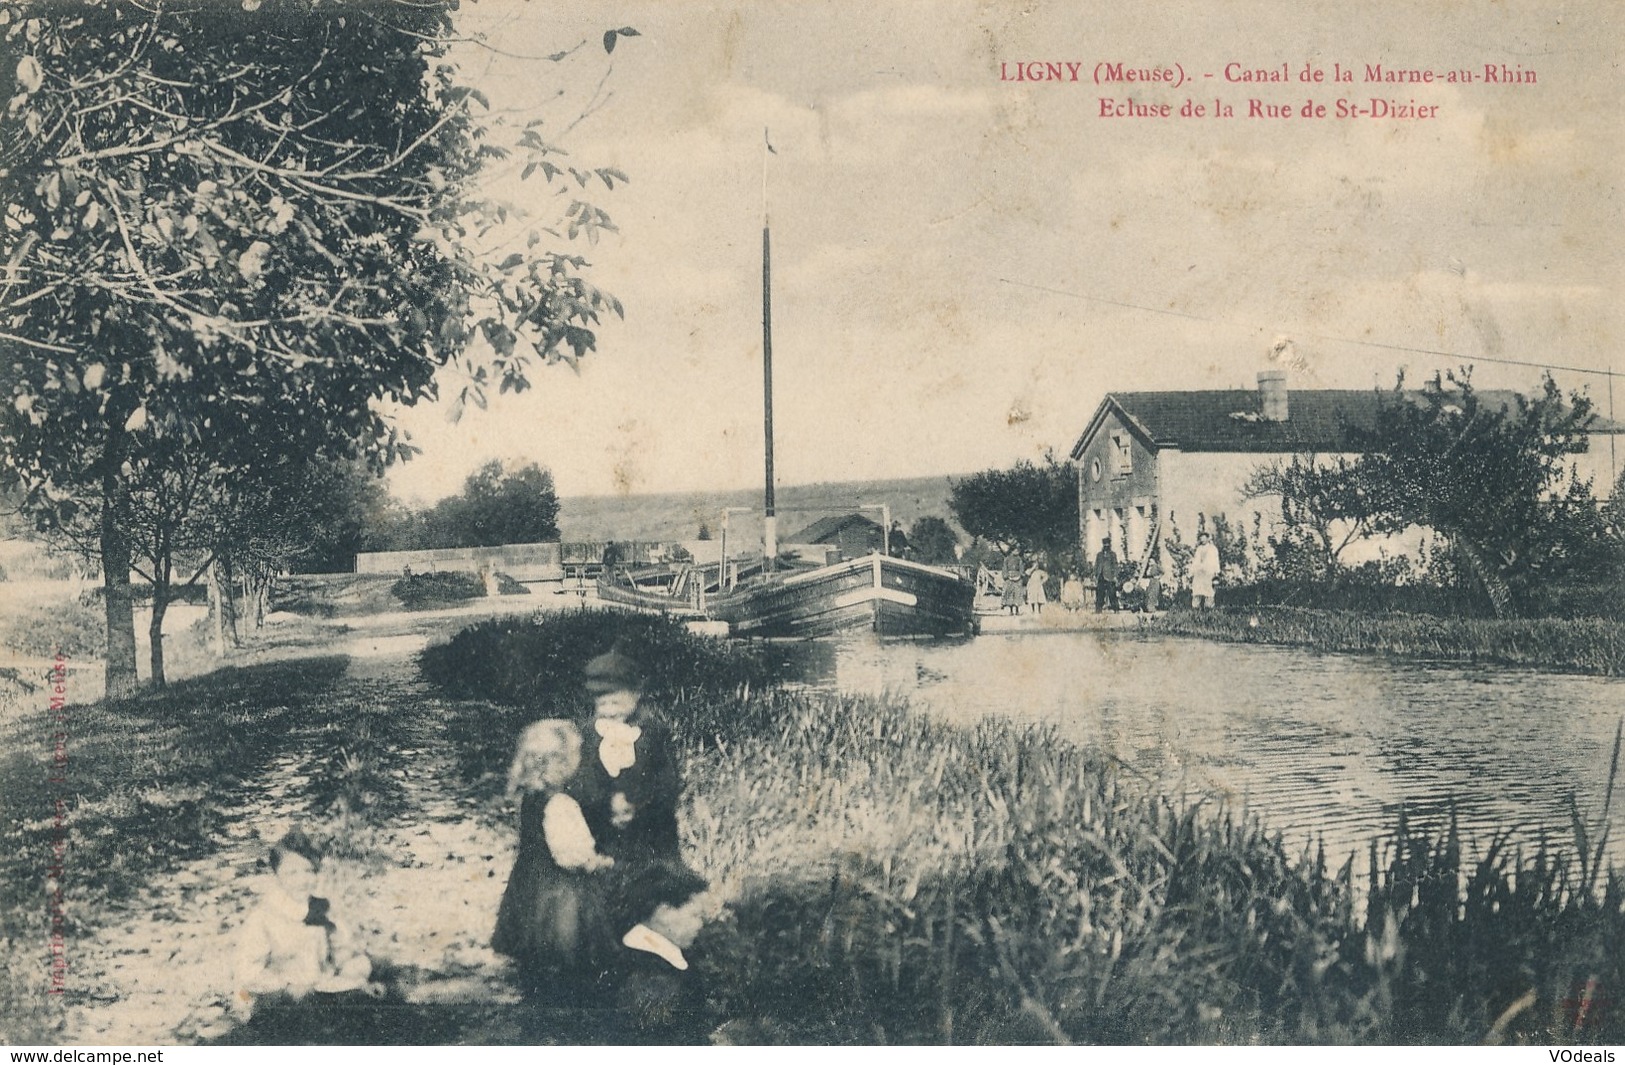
(1496, 482)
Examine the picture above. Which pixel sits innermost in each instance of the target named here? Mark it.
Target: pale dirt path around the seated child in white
(420, 877)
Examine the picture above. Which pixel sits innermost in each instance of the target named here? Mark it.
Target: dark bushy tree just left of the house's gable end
(1029, 508)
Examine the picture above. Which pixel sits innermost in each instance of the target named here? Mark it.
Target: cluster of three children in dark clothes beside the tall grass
(600, 906)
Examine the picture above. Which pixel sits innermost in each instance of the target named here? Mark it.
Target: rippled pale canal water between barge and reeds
(1320, 747)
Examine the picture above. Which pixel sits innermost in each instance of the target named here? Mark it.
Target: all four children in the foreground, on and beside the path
(599, 908)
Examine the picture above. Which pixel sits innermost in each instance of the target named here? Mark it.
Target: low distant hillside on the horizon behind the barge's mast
(678, 516)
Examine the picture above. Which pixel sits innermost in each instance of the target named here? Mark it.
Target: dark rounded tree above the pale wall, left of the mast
(498, 508)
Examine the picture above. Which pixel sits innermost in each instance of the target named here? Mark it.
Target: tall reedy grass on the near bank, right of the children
(893, 879)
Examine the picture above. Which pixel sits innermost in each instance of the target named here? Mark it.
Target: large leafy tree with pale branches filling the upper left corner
(235, 232)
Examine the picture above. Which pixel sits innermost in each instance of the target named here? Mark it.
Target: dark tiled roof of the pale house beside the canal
(1229, 420)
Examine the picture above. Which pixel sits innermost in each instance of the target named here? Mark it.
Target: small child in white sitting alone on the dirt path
(293, 945)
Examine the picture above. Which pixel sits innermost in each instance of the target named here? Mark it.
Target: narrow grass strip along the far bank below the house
(1593, 646)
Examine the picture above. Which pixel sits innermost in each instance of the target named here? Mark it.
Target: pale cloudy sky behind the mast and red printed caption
(964, 264)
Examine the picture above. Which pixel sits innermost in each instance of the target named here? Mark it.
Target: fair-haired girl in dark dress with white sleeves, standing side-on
(553, 918)
